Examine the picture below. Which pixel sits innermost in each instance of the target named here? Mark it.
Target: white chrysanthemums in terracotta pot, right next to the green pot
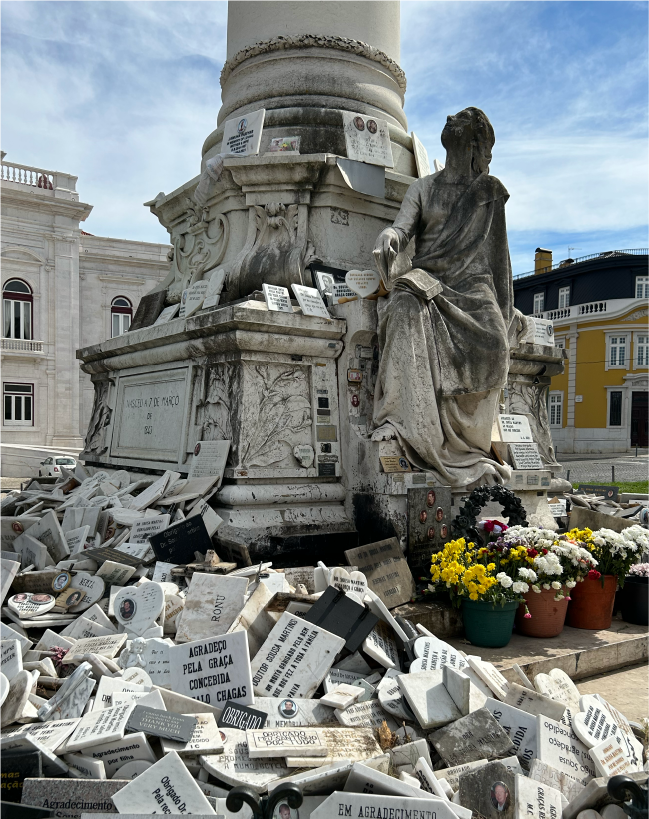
(556, 564)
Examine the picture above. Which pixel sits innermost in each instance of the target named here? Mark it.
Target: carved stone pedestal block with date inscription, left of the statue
(266, 382)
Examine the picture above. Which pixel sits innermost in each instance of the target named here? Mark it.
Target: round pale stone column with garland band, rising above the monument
(305, 63)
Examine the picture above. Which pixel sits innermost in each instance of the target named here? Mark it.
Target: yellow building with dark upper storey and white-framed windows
(599, 308)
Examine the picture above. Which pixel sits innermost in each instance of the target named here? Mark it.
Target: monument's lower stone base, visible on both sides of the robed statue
(303, 479)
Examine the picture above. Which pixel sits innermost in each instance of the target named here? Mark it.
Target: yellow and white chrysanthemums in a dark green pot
(485, 582)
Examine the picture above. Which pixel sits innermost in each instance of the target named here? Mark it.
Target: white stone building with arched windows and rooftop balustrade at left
(62, 289)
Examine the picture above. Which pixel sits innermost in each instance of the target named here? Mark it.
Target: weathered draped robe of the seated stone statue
(444, 362)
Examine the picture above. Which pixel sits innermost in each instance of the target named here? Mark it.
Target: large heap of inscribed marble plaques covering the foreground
(141, 673)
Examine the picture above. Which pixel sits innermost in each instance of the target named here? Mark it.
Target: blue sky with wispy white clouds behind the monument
(123, 95)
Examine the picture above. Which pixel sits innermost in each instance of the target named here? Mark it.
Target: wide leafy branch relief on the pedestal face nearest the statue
(284, 411)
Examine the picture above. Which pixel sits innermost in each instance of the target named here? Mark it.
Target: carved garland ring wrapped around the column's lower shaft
(315, 41)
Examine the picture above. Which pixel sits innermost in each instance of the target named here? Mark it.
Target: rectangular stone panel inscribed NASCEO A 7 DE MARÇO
(150, 412)
